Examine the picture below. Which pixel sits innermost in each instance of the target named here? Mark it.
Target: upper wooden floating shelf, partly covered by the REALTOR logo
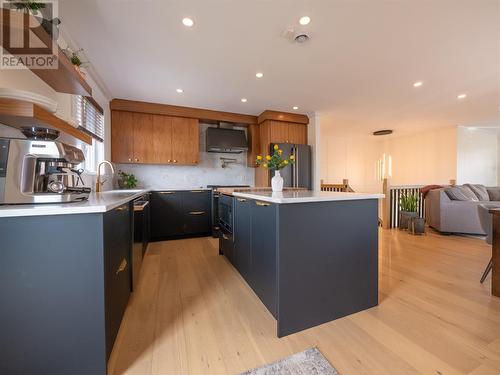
(65, 78)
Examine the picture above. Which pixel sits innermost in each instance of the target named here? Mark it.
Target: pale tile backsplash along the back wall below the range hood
(209, 171)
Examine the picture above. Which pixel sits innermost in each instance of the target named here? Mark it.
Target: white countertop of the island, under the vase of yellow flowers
(304, 196)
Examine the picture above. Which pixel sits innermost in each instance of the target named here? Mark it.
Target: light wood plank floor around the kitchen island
(193, 314)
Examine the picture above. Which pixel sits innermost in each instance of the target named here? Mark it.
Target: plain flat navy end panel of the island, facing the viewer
(327, 262)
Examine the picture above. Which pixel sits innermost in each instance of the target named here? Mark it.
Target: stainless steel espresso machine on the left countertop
(40, 171)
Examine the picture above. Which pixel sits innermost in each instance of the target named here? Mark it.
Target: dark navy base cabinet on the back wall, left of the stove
(177, 214)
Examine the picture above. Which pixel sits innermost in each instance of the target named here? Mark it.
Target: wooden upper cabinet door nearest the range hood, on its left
(185, 140)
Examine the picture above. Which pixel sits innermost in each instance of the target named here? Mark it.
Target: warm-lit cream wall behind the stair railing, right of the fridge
(417, 159)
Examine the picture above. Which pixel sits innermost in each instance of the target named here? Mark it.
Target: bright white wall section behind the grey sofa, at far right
(477, 157)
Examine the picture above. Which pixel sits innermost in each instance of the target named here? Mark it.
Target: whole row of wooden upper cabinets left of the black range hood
(153, 139)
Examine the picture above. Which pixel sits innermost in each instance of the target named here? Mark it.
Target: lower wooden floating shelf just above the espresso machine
(19, 113)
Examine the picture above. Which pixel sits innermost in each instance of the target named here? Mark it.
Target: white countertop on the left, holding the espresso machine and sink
(97, 203)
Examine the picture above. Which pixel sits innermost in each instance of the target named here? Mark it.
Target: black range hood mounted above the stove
(227, 141)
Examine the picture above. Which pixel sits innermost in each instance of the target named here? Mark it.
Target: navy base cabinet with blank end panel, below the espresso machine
(65, 282)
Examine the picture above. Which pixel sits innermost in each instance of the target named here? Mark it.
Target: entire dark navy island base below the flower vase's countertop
(310, 262)
